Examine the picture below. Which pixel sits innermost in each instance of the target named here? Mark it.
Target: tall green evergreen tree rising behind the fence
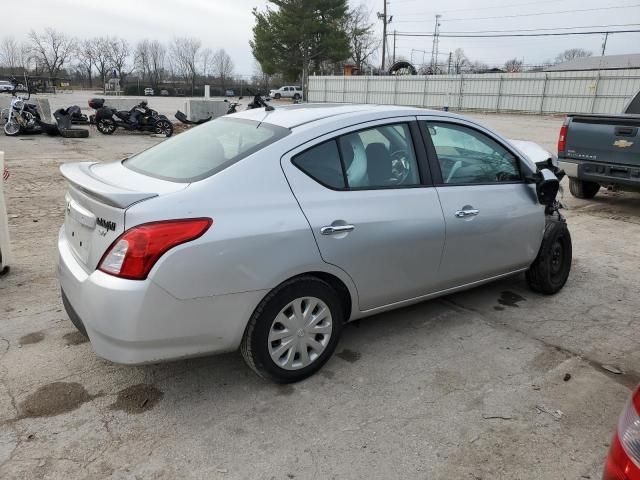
(299, 35)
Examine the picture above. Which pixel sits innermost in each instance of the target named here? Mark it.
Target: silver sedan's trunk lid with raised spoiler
(96, 202)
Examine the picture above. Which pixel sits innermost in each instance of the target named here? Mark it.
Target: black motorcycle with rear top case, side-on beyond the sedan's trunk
(140, 118)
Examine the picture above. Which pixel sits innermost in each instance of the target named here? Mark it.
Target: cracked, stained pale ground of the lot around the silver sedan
(470, 386)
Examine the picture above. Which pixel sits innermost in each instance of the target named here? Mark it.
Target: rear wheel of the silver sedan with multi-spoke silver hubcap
(310, 294)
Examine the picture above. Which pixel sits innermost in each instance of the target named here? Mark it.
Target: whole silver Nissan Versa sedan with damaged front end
(269, 229)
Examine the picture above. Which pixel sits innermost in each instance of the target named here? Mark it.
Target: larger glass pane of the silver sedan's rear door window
(382, 156)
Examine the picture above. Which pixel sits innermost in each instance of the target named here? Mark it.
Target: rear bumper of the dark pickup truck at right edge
(602, 173)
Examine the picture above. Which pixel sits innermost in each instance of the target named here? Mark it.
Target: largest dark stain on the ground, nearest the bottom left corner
(54, 399)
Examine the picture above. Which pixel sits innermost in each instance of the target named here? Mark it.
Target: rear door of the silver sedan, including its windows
(367, 196)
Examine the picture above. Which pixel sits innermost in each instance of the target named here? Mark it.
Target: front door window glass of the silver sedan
(467, 156)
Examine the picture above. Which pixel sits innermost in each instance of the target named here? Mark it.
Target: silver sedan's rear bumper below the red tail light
(133, 322)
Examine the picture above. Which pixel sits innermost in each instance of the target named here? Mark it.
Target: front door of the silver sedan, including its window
(493, 219)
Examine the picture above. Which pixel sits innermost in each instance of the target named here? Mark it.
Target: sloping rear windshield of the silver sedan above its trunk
(204, 150)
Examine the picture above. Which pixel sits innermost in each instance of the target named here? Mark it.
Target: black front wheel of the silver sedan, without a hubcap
(550, 270)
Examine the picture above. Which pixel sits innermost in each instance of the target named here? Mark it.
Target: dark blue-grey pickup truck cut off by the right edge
(601, 150)
